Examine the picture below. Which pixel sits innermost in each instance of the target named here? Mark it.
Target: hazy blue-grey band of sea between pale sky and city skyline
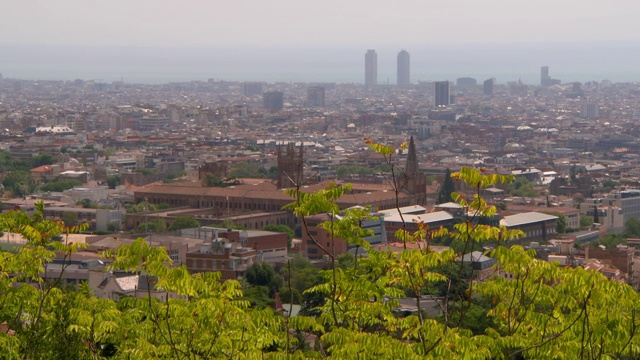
(615, 61)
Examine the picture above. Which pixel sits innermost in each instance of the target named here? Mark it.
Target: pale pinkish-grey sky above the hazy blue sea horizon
(362, 23)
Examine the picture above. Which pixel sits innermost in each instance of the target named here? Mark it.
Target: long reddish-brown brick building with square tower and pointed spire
(260, 204)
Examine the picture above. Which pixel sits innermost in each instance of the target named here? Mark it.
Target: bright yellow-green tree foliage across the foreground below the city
(528, 308)
